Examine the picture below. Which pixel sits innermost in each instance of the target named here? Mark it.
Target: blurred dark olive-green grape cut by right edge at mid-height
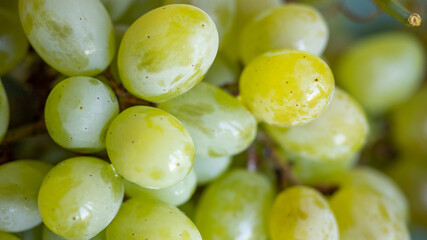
(408, 122)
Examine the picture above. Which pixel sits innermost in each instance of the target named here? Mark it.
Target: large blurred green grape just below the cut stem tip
(382, 70)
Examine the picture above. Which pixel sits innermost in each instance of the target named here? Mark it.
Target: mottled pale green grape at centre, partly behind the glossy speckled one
(218, 123)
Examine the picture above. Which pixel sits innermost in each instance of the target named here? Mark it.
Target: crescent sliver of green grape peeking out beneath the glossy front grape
(174, 195)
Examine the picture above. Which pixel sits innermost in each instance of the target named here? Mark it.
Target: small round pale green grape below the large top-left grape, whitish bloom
(78, 112)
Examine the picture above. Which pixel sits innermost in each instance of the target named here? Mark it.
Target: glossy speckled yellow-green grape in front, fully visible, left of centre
(150, 147)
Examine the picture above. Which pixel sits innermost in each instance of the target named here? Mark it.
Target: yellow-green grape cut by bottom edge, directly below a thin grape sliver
(140, 218)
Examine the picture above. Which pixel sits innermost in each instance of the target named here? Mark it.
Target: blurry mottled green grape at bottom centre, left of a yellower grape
(235, 206)
